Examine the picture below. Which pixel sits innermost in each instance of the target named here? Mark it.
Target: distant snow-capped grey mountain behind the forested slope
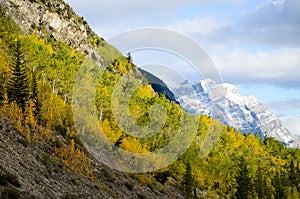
(223, 102)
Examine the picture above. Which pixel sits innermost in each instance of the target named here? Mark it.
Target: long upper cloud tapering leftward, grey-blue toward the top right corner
(274, 23)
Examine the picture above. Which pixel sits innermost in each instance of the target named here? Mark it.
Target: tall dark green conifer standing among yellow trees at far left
(18, 88)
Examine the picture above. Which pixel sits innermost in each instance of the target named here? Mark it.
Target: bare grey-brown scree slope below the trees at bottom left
(31, 170)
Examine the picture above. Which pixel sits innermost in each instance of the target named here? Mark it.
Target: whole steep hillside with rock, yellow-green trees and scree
(44, 150)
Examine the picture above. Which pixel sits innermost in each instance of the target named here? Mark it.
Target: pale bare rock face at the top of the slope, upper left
(53, 19)
